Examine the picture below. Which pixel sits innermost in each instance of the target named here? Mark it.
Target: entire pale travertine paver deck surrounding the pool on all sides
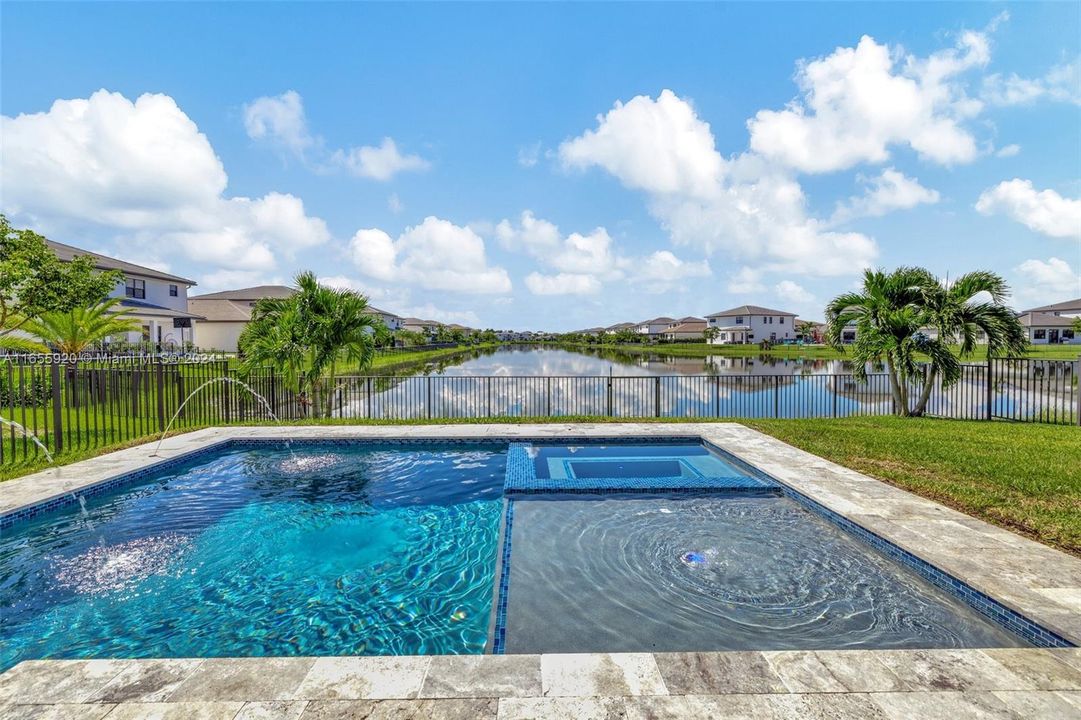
(1034, 580)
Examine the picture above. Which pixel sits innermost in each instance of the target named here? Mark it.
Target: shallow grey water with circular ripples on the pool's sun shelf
(705, 574)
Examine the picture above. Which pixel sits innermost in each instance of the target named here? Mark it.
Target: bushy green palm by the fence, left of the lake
(306, 336)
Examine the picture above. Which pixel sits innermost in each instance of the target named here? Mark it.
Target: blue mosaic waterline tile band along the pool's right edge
(982, 603)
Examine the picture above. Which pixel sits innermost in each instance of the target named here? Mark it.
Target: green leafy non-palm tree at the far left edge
(34, 282)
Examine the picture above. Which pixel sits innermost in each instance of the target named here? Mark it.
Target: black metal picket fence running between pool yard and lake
(103, 402)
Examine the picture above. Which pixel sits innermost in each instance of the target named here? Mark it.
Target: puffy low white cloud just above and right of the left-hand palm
(436, 255)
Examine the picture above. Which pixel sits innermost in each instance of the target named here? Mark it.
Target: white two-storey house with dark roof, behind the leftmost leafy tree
(157, 300)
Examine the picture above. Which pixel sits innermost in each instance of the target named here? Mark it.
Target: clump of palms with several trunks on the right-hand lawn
(895, 313)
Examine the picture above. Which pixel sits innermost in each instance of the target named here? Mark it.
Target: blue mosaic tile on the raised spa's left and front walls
(523, 481)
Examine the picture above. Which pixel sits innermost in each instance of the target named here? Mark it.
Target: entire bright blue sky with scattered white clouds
(553, 166)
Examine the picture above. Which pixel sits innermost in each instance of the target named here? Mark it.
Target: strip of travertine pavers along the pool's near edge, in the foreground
(792, 685)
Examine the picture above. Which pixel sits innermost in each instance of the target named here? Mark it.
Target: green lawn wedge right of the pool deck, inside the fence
(1024, 477)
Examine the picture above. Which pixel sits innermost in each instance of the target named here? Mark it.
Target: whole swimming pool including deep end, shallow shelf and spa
(255, 549)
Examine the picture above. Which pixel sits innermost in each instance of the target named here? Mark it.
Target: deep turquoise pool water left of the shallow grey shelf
(344, 551)
